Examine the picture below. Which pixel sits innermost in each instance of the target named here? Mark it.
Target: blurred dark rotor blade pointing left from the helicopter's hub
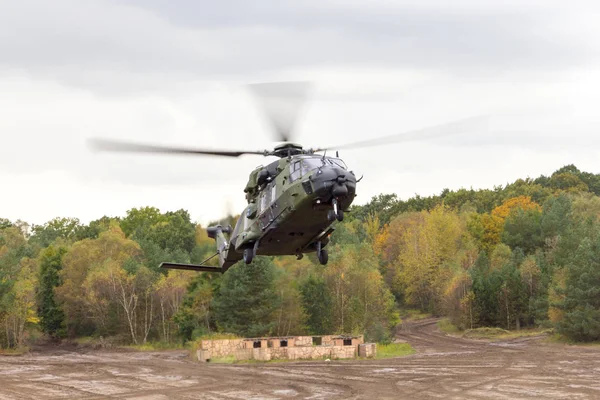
(128, 147)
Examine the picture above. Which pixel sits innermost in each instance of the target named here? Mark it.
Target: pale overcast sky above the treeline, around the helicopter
(174, 72)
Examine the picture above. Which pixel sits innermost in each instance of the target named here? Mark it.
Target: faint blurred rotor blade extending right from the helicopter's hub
(473, 124)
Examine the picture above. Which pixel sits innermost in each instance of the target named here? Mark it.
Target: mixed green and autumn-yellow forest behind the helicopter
(524, 254)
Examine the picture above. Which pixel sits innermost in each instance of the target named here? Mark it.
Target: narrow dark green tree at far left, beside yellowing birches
(49, 311)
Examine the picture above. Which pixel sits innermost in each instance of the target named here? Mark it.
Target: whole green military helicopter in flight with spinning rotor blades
(294, 201)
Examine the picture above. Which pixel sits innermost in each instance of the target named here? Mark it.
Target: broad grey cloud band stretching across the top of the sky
(110, 46)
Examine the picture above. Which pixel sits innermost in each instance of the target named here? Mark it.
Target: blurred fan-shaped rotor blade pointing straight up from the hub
(281, 102)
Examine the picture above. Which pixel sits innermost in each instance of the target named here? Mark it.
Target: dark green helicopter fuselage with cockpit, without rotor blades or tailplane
(290, 207)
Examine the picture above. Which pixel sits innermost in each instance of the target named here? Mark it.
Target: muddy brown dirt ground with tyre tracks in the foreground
(444, 367)
